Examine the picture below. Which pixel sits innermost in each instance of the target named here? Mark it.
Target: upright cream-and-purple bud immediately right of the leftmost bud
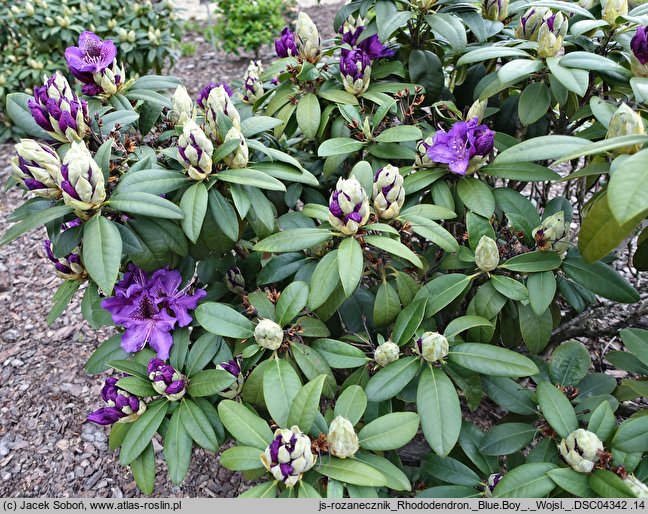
(81, 180)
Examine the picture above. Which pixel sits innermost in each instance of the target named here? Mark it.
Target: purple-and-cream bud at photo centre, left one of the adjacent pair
(348, 206)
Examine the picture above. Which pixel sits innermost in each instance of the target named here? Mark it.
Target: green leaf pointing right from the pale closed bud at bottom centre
(389, 432)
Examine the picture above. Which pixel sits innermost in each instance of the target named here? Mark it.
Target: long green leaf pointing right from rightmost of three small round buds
(492, 360)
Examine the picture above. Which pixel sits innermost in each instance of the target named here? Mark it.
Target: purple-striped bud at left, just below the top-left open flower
(58, 110)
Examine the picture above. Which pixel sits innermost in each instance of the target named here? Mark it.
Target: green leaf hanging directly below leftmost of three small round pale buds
(280, 386)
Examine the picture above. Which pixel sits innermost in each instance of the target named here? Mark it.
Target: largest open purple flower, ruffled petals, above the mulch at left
(150, 307)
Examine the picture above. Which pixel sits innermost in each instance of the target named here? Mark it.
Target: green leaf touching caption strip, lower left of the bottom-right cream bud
(526, 481)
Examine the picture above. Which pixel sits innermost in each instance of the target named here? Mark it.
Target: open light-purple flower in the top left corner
(93, 55)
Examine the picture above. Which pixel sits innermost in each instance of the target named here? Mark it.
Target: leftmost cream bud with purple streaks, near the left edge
(36, 167)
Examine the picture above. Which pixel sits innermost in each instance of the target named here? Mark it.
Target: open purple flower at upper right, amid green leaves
(461, 143)
